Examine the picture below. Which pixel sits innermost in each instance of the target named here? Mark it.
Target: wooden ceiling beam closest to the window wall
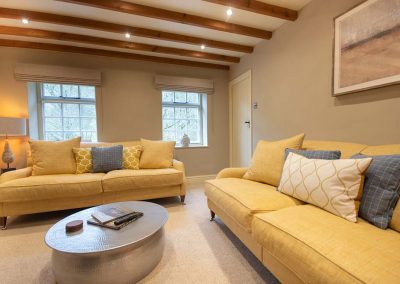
(107, 53)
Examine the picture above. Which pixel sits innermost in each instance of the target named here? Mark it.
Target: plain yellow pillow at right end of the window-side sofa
(156, 154)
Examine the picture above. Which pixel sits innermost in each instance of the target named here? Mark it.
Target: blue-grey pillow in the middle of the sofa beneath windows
(107, 159)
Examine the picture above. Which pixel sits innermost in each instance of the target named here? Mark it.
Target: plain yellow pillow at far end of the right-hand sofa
(268, 158)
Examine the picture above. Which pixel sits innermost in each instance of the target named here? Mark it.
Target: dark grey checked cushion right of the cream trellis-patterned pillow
(381, 189)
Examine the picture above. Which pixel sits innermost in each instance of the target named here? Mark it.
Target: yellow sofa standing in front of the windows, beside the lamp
(22, 193)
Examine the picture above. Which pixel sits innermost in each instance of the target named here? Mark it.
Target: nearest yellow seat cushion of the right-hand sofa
(320, 247)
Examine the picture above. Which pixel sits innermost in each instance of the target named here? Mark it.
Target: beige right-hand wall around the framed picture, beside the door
(292, 84)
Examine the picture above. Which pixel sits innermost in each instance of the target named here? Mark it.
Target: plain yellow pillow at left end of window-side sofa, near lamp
(53, 157)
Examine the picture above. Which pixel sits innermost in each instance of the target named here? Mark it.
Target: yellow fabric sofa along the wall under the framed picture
(301, 243)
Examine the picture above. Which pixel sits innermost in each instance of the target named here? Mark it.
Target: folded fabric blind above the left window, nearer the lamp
(57, 74)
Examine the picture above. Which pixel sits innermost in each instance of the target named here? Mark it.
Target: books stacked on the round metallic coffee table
(113, 217)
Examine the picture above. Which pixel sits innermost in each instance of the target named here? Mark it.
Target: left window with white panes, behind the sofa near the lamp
(67, 111)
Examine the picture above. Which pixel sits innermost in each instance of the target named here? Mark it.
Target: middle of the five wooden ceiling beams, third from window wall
(121, 29)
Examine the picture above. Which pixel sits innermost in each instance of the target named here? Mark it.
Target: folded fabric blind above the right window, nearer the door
(184, 84)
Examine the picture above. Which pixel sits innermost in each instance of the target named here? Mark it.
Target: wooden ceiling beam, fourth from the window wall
(172, 16)
